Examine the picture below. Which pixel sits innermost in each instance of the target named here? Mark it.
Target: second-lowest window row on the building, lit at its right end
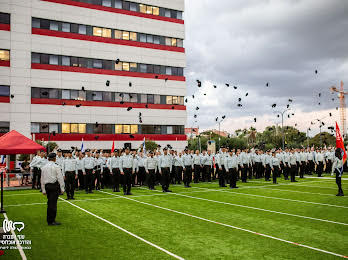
(101, 96)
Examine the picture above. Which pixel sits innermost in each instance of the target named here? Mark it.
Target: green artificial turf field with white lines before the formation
(260, 220)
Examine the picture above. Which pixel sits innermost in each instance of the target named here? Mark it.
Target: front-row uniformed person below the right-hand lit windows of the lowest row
(127, 168)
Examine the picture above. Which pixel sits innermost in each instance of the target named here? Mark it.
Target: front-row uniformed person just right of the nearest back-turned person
(69, 169)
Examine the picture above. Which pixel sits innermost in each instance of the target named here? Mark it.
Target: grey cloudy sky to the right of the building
(248, 43)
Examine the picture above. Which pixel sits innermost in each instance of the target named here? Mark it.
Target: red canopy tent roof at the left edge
(16, 143)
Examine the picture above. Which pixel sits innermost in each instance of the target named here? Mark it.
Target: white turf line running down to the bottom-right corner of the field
(230, 226)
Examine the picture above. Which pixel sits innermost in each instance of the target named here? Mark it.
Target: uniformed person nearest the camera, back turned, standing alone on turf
(52, 185)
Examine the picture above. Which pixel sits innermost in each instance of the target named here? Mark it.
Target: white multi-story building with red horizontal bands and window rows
(97, 70)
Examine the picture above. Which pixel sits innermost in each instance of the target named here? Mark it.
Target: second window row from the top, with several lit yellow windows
(105, 32)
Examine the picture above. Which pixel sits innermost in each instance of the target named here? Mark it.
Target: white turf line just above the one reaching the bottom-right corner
(260, 209)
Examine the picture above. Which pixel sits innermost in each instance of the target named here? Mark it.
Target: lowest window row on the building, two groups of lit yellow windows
(76, 128)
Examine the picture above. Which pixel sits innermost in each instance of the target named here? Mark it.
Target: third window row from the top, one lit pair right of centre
(104, 64)
